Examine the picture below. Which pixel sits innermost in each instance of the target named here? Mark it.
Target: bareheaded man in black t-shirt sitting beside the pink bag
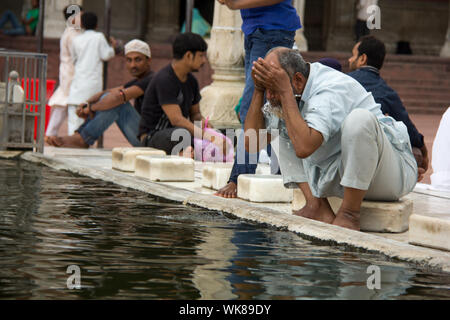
(171, 110)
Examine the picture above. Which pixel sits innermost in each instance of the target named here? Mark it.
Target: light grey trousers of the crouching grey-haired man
(367, 161)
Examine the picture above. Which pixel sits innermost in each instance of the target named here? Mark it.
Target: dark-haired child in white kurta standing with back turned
(89, 50)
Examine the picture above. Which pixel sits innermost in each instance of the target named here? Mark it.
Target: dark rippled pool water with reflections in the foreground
(129, 245)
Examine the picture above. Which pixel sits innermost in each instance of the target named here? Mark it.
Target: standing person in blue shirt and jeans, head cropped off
(266, 24)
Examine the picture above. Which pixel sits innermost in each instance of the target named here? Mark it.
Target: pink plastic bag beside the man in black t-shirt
(207, 151)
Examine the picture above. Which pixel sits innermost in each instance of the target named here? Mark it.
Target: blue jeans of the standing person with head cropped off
(256, 45)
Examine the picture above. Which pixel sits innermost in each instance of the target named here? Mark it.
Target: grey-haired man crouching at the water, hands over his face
(333, 138)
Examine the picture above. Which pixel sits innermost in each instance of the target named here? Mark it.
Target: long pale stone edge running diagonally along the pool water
(423, 257)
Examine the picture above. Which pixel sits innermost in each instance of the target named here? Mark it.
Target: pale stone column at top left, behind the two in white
(55, 23)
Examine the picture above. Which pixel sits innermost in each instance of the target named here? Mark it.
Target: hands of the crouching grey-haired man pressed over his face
(270, 77)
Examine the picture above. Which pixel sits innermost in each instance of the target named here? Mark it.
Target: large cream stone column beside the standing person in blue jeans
(226, 56)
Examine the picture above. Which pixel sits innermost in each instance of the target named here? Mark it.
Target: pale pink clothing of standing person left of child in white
(66, 68)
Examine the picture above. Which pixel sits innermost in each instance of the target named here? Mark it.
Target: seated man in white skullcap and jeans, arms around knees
(107, 107)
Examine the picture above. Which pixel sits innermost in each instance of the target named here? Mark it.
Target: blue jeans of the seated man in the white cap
(126, 117)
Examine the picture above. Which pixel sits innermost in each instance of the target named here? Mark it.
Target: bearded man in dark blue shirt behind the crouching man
(365, 64)
